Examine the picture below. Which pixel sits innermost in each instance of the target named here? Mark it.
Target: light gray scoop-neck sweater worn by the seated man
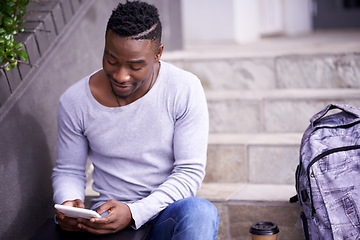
(147, 154)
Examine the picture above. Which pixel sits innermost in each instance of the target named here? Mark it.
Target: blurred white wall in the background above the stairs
(243, 21)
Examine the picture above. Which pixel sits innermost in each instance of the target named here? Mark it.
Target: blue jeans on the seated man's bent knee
(191, 218)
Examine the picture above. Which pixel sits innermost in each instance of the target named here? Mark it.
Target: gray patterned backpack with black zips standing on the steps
(328, 175)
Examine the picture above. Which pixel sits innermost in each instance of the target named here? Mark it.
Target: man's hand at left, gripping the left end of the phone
(66, 223)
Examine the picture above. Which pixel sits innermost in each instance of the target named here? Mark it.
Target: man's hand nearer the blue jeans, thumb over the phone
(118, 218)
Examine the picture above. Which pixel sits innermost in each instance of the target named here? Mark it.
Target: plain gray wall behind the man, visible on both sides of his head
(28, 119)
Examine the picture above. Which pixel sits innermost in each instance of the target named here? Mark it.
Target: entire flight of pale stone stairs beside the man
(259, 106)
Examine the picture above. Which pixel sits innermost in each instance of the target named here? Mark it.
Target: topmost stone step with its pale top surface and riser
(275, 63)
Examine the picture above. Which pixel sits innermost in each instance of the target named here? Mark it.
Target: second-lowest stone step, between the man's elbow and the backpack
(253, 158)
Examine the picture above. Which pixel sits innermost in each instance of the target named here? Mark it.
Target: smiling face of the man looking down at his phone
(129, 65)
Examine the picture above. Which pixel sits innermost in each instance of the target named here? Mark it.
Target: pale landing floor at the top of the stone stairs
(331, 41)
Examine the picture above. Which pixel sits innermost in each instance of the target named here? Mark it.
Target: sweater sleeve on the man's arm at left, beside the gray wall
(68, 176)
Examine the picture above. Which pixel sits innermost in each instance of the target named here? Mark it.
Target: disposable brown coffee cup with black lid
(264, 231)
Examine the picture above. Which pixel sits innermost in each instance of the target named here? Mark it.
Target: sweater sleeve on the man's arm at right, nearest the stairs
(190, 148)
